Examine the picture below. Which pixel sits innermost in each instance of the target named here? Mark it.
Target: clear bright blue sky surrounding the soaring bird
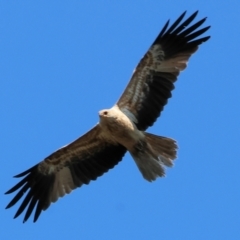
(63, 61)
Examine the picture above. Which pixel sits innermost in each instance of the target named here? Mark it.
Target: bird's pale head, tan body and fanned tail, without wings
(143, 147)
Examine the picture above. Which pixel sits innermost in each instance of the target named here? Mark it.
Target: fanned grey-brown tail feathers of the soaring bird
(153, 155)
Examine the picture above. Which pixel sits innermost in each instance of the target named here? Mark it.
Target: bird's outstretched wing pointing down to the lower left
(78, 163)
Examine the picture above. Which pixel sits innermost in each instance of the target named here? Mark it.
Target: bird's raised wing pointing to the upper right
(153, 79)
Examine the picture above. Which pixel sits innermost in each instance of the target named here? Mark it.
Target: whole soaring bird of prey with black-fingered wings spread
(120, 128)
